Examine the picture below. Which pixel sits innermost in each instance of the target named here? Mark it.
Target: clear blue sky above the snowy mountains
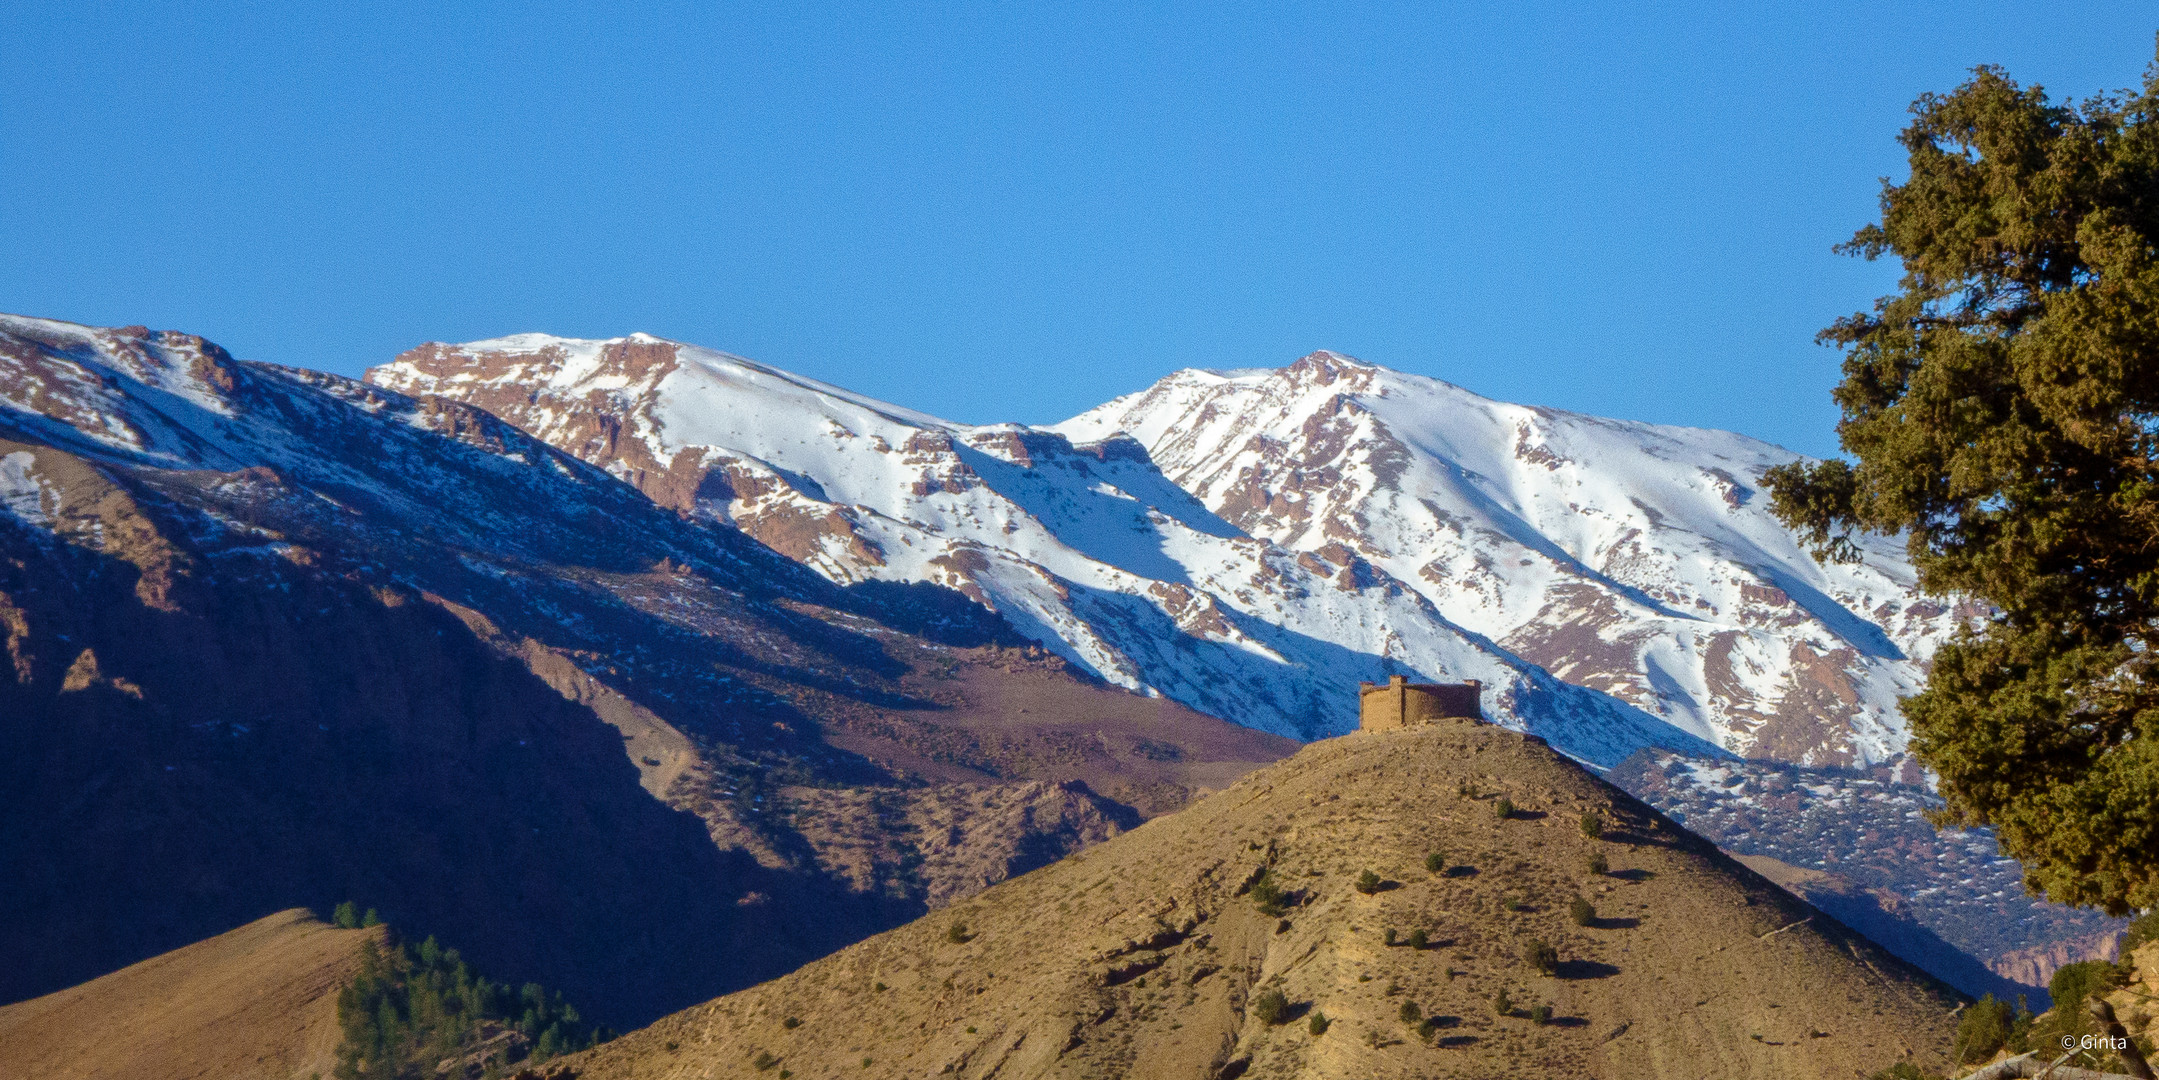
(1007, 211)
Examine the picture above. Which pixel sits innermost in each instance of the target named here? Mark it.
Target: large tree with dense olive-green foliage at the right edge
(2002, 409)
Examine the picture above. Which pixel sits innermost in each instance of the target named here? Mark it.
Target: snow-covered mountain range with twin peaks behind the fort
(1255, 543)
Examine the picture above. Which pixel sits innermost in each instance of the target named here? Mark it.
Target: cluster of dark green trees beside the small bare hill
(413, 1008)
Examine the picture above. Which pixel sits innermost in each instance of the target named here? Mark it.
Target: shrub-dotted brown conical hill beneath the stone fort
(1143, 958)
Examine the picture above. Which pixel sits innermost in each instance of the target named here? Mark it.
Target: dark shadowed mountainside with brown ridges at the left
(280, 638)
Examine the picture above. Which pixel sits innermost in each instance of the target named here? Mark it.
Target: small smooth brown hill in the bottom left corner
(252, 1003)
